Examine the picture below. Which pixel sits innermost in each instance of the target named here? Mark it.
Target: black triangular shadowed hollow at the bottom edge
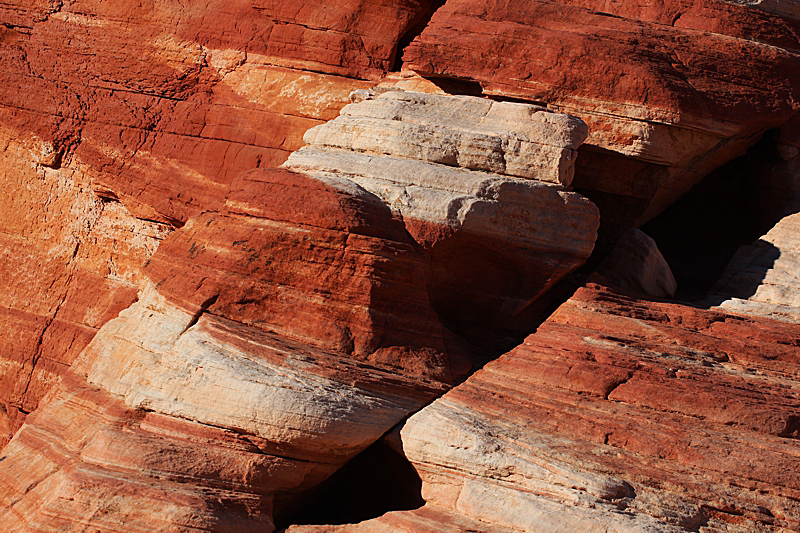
(376, 481)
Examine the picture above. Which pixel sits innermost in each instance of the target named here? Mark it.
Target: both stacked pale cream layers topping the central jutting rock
(451, 160)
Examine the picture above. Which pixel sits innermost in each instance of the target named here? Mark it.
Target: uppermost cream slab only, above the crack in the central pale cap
(506, 138)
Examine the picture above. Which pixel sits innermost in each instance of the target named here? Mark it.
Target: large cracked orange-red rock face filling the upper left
(155, 108)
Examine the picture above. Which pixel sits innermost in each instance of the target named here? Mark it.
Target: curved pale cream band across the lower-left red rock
(155, 358)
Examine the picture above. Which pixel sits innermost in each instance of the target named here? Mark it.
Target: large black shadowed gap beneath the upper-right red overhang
(733, 206)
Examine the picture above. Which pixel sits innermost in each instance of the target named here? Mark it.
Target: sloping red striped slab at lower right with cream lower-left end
(617, 415)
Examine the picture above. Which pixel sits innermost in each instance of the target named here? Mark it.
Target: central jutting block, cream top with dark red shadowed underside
(451, 168)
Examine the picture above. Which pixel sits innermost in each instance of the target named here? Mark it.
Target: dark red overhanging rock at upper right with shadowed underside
(668, 84)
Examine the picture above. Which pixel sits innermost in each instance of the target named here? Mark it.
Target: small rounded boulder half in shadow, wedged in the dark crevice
(636, 265)
